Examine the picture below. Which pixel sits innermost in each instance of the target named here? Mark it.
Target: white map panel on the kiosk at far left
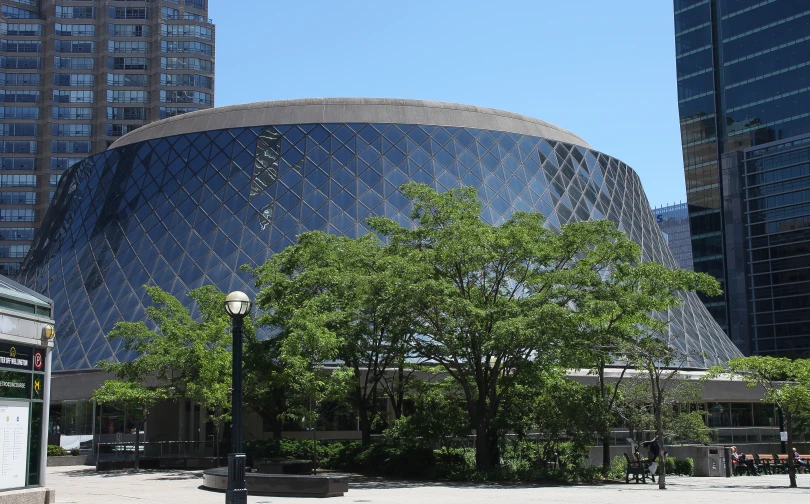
(13, 444)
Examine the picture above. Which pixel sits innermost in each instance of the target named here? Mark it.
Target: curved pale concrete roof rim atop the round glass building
(349, 110)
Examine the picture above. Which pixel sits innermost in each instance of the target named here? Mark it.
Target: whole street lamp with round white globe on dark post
(237, 305)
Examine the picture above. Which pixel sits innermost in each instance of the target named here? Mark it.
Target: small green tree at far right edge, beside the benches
(786, 383)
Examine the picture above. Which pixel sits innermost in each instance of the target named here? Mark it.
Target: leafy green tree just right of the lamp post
(352, 294)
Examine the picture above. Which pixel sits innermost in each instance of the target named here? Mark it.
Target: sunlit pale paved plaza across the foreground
(82, 485)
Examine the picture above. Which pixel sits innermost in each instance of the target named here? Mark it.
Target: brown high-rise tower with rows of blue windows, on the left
(77, 74)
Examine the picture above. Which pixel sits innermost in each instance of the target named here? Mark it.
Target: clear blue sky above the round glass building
(602, 69)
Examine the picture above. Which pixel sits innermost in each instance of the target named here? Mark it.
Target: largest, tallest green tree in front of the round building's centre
(490, 301)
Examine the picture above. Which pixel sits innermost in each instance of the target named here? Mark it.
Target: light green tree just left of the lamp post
(184, 357)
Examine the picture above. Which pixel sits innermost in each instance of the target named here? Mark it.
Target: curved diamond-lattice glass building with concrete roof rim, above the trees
(185, 210)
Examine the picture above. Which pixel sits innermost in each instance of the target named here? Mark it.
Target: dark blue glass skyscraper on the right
(744, 97)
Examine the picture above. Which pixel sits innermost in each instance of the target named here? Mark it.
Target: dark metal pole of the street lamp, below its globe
(237, 488)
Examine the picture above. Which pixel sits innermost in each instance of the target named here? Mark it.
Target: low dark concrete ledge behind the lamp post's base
(281, 485)
